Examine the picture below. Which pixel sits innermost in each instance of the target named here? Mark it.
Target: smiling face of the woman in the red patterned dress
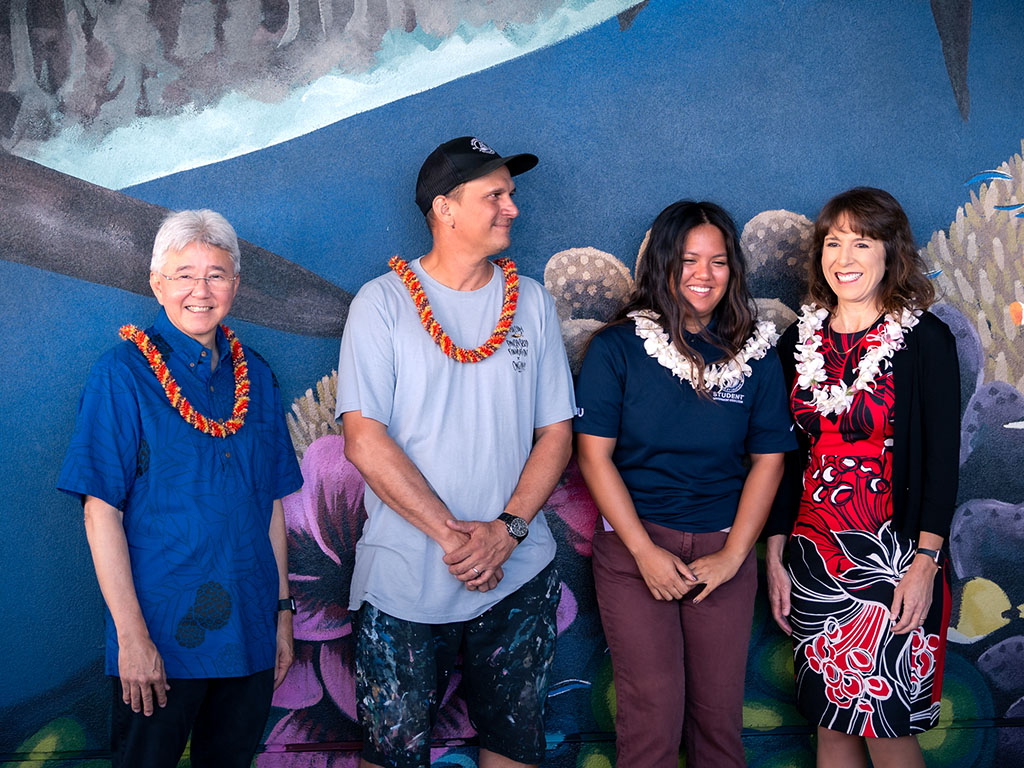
(854, 265)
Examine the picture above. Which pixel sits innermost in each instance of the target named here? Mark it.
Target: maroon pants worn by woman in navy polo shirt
(678, 667)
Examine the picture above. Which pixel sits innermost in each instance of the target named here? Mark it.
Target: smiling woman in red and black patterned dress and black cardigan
(875, 386)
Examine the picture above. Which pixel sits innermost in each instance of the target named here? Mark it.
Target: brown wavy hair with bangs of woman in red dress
(877, 215)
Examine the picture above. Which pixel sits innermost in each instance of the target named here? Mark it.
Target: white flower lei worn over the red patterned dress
(836, 399)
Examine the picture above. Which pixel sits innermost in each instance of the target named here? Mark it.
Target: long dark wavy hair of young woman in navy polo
(661, 269)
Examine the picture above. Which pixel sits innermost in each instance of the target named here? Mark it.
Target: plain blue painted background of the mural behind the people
(756, 106)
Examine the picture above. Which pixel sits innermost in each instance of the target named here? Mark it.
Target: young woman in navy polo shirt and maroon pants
(682, 426)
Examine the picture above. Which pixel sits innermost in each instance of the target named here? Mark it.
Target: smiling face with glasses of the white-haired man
(195, 310)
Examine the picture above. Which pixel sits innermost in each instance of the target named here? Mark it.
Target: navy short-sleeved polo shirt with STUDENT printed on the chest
(680, 456)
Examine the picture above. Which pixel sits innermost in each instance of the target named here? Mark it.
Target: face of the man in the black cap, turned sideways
(484, 212)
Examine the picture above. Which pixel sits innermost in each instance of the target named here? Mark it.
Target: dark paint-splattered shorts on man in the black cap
(403, 671)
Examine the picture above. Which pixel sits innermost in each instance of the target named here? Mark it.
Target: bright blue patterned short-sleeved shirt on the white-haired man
(197, 509)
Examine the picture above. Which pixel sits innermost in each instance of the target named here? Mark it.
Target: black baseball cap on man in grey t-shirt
(459, 161)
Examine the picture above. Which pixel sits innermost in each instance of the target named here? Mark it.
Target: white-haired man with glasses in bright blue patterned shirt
(182, 456)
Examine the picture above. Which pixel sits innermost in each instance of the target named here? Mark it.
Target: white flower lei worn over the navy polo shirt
(717, 376)
